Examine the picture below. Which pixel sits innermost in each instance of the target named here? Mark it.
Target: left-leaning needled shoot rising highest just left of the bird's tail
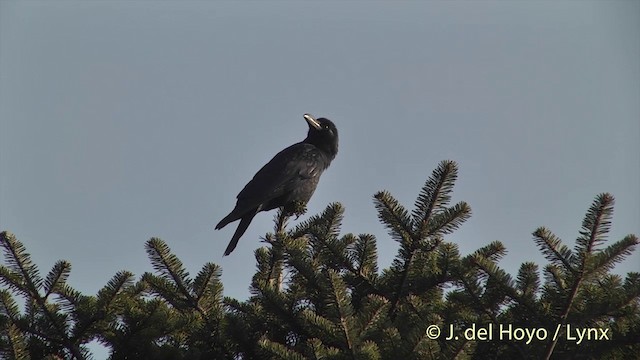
(169, 266)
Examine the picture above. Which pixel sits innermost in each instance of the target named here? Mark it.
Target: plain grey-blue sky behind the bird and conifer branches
(126, 120)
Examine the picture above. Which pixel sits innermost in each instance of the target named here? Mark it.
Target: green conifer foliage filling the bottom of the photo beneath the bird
(318, 293)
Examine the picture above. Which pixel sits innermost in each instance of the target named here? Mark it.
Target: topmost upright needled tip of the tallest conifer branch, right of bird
(436, 192)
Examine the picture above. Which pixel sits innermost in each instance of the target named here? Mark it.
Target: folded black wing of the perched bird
(281, 175)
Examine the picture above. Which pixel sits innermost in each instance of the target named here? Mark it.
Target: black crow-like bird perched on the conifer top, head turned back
(288, 180)
